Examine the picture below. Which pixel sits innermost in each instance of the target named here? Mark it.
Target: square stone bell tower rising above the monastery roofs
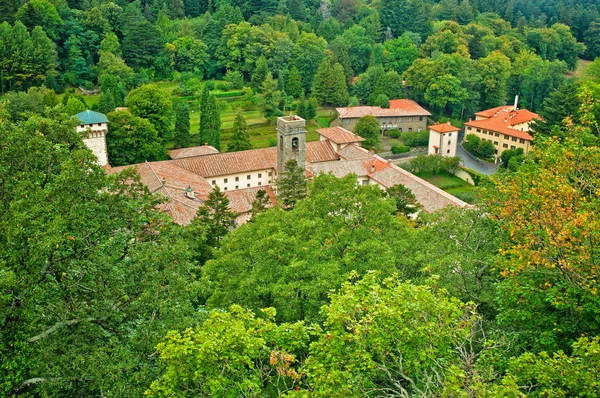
(291, 141)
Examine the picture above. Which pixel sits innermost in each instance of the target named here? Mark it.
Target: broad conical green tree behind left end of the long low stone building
(329, 84)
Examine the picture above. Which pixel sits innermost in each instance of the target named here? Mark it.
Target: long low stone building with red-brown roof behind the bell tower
(403, 114)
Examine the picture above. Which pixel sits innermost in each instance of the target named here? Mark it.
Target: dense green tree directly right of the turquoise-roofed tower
(132, 139)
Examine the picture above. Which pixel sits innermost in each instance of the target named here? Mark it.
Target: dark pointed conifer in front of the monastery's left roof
(216, 216)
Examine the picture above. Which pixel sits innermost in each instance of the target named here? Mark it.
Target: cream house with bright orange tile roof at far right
(504, 126)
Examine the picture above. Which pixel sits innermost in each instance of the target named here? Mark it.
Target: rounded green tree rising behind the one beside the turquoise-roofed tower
(151, 103)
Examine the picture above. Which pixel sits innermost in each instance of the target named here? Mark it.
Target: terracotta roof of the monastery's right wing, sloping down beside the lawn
(428, 195)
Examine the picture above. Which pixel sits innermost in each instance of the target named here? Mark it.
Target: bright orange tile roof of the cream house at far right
(501, 120)
